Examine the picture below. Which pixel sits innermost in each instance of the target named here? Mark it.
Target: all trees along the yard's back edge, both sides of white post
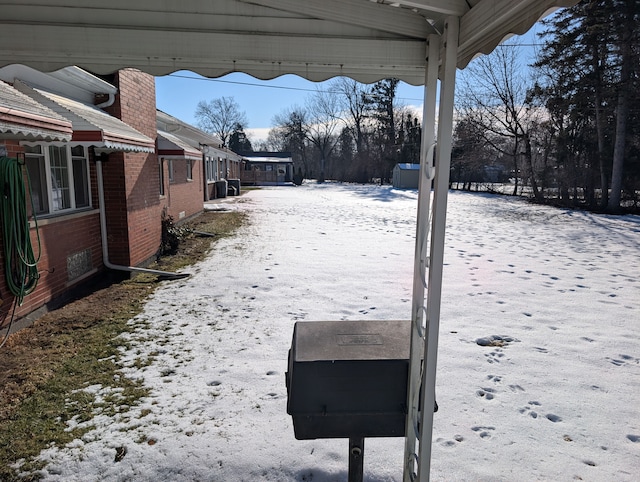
(562, 130)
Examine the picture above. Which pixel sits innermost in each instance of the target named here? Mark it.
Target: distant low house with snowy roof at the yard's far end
(267, 168)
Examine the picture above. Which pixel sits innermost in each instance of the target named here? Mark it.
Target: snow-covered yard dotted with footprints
(558, 402)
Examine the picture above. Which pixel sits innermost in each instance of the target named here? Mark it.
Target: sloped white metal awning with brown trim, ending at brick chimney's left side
(91, 125)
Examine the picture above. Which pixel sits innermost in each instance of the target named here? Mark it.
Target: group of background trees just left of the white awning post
(349, 132)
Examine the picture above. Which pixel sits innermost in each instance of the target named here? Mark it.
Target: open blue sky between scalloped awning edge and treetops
(178, 94)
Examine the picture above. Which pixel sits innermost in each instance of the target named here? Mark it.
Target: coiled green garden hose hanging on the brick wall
(20, 262)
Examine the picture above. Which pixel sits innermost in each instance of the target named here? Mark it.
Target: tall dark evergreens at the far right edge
(590, 61)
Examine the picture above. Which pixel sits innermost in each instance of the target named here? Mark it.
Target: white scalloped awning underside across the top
(316, 39)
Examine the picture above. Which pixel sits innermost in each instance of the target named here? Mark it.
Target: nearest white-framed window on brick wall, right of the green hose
(59, 177)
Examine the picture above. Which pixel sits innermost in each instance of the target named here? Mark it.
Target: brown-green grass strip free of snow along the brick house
(49, 372)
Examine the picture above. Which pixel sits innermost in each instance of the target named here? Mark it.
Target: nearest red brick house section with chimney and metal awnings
(91, 148)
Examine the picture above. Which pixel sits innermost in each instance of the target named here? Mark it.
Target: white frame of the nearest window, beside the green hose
(45, 156)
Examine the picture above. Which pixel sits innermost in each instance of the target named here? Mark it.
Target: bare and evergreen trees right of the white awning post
(565, 130)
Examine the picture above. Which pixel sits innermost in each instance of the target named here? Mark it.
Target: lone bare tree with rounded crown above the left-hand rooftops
(221, 117)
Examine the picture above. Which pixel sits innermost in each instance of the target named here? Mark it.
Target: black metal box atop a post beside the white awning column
(348, 379)
